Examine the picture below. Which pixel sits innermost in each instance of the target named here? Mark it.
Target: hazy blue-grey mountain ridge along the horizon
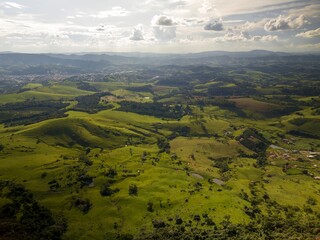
(95, 62)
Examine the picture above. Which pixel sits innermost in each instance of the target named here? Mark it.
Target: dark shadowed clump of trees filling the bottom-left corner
(24, 218)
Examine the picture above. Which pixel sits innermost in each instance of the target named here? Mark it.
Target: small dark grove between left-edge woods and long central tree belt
(91, 103)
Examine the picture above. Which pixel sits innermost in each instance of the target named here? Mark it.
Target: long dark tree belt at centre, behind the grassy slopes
(156, 109)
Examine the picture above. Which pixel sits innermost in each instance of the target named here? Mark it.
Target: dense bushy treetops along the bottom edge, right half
(271, 227)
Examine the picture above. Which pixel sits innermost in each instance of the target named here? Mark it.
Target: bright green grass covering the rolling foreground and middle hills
(39, 153)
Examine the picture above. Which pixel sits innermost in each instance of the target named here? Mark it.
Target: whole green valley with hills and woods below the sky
(202, 149)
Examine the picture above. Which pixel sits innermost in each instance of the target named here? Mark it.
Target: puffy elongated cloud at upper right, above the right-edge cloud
(285, 23)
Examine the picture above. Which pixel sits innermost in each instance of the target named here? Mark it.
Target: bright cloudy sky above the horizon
(166, 26)
